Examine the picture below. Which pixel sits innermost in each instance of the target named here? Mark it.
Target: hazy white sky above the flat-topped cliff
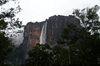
(39, 10)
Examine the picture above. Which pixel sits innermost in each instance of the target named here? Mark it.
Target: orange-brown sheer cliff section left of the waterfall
(32, 33)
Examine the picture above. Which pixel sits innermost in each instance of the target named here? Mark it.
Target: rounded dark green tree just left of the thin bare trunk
(59, 55)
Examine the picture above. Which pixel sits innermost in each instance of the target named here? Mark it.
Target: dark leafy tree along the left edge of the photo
(6, 45)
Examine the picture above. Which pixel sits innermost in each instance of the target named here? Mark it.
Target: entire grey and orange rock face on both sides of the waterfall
(32, 32)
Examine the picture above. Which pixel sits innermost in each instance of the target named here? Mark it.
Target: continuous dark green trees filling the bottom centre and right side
(80, 44)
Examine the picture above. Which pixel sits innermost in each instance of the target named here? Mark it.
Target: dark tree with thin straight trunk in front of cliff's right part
(69, 36)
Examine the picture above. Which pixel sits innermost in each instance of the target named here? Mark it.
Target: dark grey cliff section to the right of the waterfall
(55, 26)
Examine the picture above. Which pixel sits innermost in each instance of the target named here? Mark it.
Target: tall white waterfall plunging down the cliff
(43, 34)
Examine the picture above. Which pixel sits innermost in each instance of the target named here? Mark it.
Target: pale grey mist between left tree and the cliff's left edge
(16, 37)
